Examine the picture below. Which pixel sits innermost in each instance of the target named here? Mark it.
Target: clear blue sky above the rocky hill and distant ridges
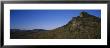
(44, 19)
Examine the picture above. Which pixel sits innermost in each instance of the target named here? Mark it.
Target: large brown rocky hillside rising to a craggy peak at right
(85, 26)
